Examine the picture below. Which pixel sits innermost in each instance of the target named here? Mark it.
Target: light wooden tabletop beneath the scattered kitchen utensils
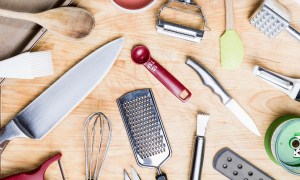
(263, 102)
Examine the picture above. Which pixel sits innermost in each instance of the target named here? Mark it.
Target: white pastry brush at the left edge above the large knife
(27, 65)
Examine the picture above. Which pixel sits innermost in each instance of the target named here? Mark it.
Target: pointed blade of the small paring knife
(239, 112)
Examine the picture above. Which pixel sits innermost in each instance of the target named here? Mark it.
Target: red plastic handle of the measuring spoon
(168, 80)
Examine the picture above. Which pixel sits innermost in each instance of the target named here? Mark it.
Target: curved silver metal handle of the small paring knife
(208, 80)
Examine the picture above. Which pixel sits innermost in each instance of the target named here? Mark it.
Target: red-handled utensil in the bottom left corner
(39, 173)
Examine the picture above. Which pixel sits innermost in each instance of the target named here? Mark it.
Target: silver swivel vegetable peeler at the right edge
(286, 84)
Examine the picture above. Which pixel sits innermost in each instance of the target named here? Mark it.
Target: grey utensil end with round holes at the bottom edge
(235, 167)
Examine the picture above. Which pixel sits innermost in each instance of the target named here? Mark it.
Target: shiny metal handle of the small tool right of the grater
(198, 158)
